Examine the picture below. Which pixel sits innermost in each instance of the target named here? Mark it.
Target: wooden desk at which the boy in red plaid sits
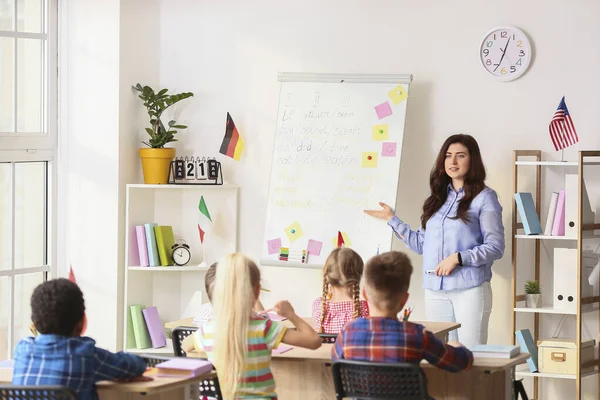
(489, 379)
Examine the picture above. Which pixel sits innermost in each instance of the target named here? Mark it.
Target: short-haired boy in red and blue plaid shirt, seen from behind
(382, 337)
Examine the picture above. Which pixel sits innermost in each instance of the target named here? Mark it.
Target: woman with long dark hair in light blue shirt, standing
(460, 236)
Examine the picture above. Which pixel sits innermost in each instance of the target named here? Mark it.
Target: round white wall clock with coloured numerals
(505, 53)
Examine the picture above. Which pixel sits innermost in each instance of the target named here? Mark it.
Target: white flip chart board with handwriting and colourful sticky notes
(338, 147)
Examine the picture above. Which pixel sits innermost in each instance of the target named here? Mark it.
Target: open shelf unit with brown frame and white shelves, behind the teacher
(583, 304)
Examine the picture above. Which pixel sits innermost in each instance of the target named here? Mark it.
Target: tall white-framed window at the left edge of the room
(28, 110)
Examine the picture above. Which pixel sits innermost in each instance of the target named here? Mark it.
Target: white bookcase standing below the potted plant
(170, 288)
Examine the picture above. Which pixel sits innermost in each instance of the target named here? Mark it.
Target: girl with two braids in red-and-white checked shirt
(340, 301)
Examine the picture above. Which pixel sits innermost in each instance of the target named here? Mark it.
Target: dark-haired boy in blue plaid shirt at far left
(59, 355)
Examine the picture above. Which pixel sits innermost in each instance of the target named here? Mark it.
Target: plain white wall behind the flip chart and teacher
(229, 53)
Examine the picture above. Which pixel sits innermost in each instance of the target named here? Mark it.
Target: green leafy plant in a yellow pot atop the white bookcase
(156, 159)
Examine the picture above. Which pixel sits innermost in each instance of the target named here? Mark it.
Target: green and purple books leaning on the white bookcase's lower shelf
(144, 328)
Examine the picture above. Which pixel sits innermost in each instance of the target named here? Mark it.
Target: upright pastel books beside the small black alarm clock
(154, 245)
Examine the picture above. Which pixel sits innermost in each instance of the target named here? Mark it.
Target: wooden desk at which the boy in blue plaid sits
(158, 389)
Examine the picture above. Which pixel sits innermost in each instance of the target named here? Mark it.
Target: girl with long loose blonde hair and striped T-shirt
(237, 341)
